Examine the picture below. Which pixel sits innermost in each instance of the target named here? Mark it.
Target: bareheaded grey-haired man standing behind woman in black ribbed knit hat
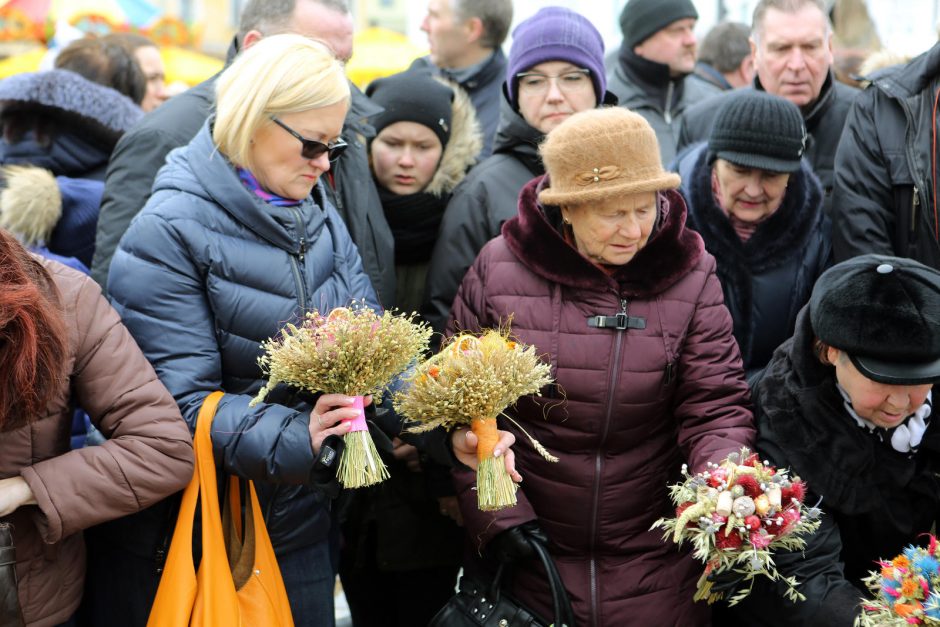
(792, 48)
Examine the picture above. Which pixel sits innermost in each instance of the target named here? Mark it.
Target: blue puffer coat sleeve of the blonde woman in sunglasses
(159, 292)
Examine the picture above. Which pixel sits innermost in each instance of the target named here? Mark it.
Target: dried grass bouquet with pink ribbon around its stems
(351, 351)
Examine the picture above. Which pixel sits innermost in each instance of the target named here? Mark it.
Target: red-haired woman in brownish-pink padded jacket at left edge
(61, 344)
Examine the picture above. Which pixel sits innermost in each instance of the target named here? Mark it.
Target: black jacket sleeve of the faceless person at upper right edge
(862, 207)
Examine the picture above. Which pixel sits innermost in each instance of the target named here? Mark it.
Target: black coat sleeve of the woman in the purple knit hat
(464, 232)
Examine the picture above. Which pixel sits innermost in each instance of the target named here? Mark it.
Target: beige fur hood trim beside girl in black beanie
(466, 142)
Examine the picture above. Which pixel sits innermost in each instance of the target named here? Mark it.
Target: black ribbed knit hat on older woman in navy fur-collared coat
(754, 129)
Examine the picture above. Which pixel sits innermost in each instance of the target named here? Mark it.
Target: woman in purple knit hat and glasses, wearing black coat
(487, 197)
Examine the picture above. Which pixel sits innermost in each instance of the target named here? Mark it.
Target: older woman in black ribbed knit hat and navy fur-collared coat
(758, 206)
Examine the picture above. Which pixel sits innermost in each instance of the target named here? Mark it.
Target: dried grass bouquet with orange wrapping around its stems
(471, 381)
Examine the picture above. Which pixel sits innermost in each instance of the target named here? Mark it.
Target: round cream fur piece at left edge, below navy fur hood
(30, 204)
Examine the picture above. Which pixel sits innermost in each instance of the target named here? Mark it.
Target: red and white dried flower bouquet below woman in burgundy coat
(735, 515)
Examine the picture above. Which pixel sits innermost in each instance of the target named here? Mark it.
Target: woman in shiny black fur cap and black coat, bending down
(846, 406)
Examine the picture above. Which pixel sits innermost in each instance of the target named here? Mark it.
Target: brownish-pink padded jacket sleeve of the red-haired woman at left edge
(148, 454)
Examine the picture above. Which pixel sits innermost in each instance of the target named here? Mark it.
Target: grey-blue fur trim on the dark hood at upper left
(82, 105)
